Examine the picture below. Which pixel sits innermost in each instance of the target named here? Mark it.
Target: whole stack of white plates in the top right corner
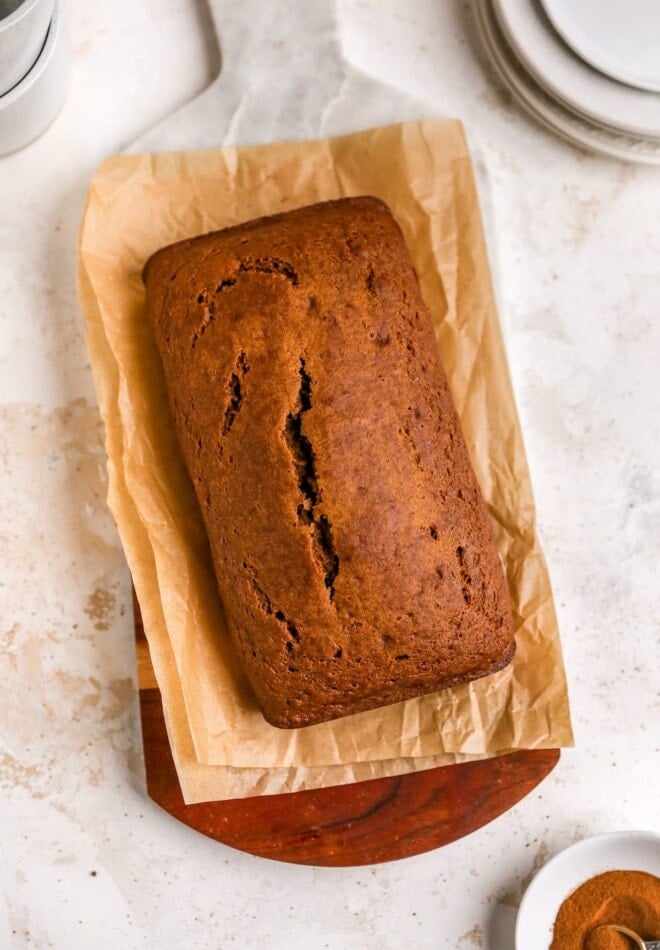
(587, 69)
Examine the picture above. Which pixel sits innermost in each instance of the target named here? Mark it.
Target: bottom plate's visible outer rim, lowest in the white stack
(551, 113)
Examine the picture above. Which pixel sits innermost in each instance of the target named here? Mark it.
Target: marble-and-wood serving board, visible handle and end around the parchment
(284, 80)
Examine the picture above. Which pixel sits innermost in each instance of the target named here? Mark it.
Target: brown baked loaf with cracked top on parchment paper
(352, 548)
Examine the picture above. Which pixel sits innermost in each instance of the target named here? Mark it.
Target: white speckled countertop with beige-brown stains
(86, 860)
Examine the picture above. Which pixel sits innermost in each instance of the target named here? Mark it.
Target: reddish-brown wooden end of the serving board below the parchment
(346, 825)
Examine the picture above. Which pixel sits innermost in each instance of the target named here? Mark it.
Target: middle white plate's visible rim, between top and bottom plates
(594, 96)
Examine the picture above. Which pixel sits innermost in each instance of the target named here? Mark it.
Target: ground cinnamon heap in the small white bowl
(628, 898)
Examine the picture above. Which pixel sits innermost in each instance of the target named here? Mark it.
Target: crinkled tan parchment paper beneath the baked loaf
(139, 203)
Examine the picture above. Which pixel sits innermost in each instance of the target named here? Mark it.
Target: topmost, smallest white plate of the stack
(594, 48)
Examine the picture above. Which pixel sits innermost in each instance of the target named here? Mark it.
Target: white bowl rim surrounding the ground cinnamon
(619, 850)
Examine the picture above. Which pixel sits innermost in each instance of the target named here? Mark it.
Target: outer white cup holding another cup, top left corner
(29, 108)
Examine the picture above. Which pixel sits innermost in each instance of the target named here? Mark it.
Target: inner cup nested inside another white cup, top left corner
(22, 36)
